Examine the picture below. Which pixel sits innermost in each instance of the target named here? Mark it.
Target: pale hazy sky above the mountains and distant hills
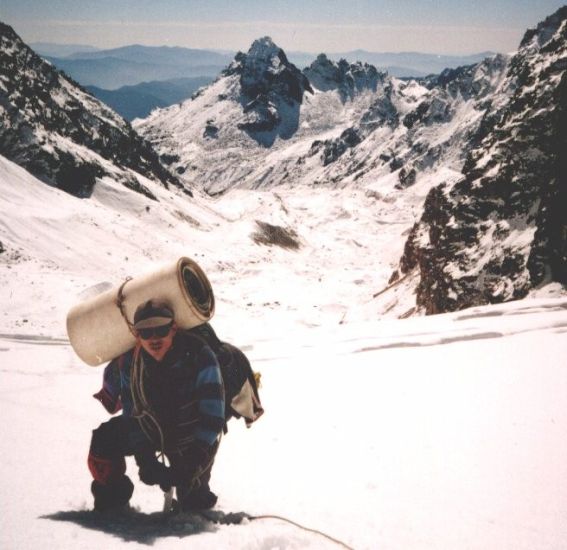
(434, 26)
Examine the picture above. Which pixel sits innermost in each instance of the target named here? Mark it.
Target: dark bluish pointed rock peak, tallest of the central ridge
(272, 91)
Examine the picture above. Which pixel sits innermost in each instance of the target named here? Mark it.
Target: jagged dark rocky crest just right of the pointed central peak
(347, 78)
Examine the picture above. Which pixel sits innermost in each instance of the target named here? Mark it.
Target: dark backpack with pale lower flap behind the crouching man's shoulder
(240, 381)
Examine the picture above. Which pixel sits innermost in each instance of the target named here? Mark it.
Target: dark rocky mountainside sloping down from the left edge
(61, 134)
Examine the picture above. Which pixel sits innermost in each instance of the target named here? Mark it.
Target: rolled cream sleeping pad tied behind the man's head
(99, 330)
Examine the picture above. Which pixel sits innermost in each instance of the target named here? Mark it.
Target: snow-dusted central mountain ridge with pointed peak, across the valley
(345, 123)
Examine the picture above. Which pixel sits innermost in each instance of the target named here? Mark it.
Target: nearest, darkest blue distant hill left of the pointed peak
(140, 100)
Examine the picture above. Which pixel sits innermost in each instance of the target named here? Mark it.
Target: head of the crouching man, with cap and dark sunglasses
(155, 328)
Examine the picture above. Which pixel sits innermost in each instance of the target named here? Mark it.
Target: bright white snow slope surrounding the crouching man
(431, 432)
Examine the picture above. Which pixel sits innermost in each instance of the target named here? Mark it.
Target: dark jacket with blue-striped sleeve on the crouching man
(184, 391)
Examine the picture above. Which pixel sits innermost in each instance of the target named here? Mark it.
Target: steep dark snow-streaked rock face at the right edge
(502, 229)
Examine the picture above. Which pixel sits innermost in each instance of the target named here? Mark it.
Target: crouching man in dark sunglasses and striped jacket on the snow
(170, 389)
